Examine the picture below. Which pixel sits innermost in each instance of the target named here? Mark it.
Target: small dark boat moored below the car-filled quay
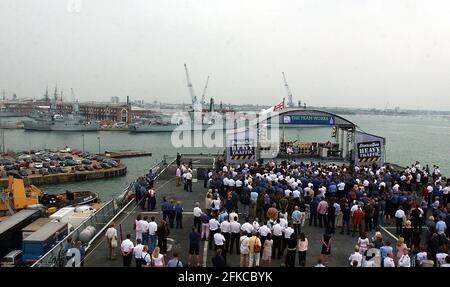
(69, 198)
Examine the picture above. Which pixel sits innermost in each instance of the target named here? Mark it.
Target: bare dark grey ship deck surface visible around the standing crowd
(165, 185)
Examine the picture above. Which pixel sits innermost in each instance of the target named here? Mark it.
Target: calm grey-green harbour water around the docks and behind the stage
(409, 138)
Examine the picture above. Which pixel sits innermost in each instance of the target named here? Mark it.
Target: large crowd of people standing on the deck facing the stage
(259, 212)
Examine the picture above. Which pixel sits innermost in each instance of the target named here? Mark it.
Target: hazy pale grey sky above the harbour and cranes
(351, 53)
